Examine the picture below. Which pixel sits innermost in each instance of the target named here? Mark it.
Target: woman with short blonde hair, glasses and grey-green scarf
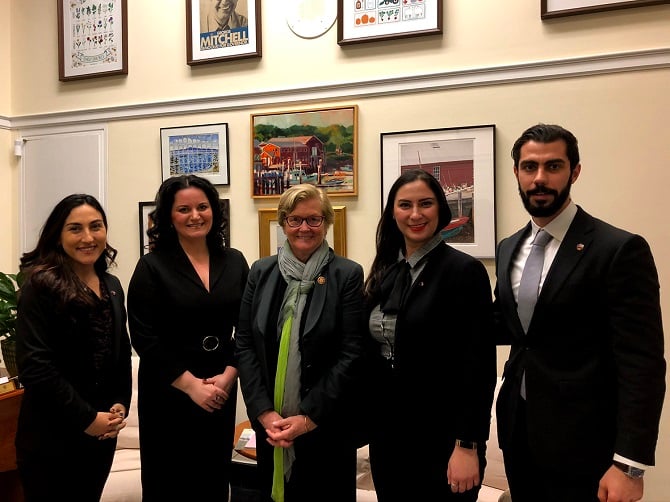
(298, 343)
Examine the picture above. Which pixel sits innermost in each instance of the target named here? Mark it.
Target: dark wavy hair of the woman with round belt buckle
(162, 235)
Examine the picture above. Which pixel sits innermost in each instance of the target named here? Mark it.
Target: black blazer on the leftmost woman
(63, 392)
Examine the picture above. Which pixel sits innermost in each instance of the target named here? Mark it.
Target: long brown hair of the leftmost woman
(48, 266)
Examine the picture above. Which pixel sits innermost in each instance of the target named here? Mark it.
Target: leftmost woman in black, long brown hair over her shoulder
(73, 355)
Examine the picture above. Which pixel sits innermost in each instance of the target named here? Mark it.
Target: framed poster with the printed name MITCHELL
(222, 31)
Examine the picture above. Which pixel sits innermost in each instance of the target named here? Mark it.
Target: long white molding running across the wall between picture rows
(475, 77)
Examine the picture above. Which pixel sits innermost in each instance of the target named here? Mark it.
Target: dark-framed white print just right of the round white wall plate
(361, 21)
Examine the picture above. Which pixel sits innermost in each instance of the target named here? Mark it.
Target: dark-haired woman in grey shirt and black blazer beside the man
(432, 353)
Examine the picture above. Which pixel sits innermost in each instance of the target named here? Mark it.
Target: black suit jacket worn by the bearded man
(593, 354)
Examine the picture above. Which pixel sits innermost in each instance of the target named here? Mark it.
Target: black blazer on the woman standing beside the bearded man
(445, 353)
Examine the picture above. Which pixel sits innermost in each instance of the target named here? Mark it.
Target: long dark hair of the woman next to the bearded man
(389, 238)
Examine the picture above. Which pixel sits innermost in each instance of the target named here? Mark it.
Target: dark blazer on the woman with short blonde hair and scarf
(331, 338)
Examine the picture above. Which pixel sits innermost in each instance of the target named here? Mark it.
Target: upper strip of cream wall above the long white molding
(478, 33)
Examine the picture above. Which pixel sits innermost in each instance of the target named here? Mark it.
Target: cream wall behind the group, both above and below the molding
(620, 119)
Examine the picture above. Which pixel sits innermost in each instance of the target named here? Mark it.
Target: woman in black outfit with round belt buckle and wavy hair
(183, 304)
